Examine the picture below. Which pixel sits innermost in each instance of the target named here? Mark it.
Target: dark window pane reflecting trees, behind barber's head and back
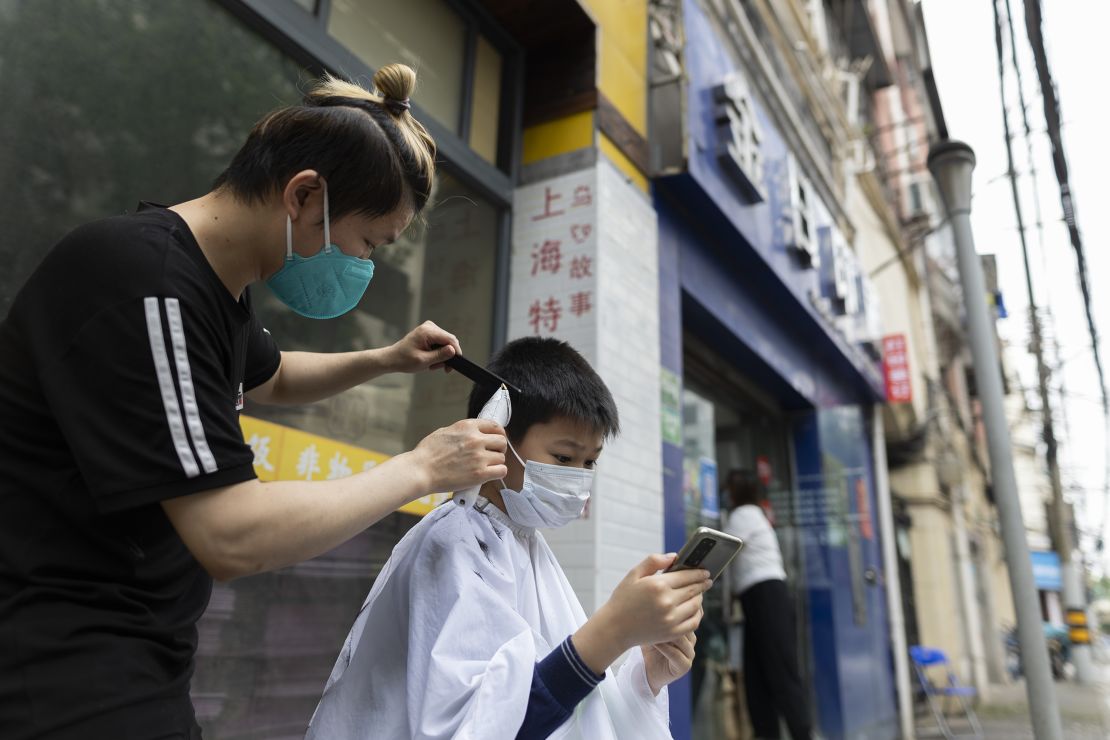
(124, 102)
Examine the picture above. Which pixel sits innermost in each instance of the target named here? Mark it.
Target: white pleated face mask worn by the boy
(551, 496)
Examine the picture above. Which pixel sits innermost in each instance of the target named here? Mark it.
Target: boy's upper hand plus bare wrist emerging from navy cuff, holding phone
(647, 607)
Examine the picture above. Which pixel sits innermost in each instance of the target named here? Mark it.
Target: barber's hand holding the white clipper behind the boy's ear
(466, 454)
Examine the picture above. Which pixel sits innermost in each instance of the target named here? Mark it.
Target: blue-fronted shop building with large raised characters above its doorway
(771, 328)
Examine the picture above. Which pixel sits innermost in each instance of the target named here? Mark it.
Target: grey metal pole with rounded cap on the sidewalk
(952, 164)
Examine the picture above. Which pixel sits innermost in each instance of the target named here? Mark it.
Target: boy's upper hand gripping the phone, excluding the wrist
(650, 607)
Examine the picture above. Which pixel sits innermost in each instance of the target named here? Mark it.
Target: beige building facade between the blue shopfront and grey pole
(955, 585)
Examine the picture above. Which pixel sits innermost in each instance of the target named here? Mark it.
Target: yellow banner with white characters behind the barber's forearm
(282, 453)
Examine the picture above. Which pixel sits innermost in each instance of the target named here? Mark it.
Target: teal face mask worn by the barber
(326, 286)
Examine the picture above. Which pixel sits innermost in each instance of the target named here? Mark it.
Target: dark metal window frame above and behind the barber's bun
(305, 38)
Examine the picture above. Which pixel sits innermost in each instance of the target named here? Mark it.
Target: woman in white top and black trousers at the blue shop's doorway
(772, 683)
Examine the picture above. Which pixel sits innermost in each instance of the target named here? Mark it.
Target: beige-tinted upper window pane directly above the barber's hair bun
(427, 35)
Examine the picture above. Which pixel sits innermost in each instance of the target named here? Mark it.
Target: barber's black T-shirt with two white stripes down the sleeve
(123, 368)
